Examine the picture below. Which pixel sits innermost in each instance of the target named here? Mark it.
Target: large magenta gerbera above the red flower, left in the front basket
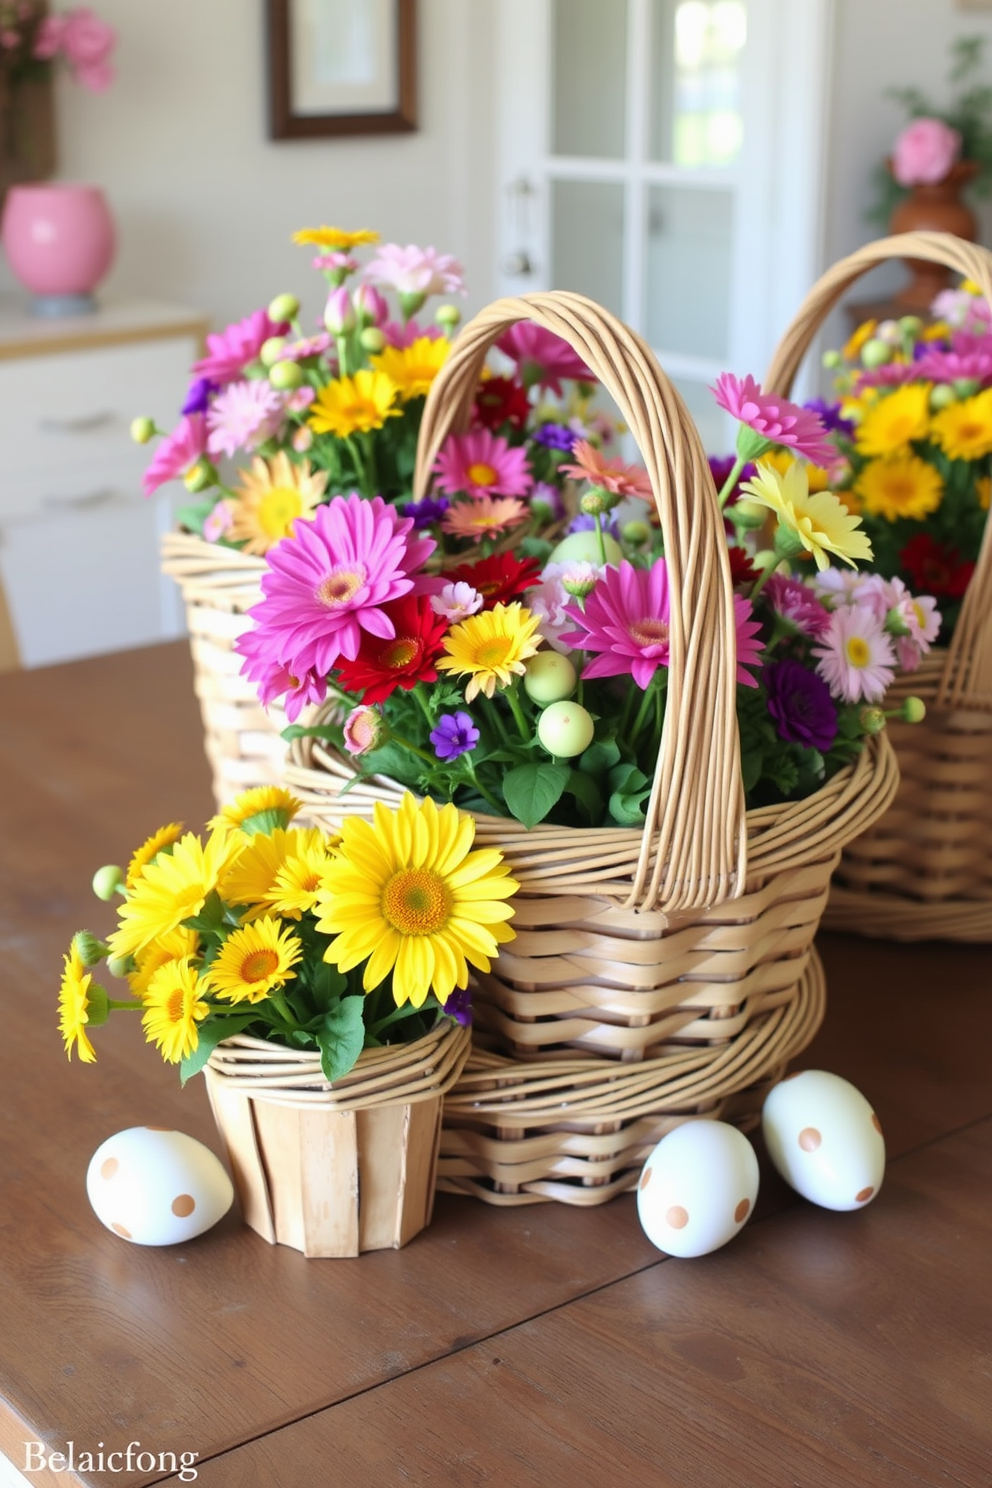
(329, 581)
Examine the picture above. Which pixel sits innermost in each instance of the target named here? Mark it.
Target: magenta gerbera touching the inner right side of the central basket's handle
(625, 621)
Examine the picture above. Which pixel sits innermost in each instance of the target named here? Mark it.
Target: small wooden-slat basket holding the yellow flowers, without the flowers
(340, 1169)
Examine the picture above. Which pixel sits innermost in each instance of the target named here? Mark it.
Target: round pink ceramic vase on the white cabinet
(60, 242)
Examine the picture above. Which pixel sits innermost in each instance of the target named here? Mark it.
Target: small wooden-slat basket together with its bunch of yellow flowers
(321, 983)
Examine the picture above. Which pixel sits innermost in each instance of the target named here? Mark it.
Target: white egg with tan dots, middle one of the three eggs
(698, 1188)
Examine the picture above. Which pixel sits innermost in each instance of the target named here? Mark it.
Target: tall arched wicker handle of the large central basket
(694, 853)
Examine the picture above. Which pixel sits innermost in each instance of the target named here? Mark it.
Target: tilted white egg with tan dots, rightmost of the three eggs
(825, 1139)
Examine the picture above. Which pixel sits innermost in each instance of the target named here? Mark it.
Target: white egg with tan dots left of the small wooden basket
(157, 1187)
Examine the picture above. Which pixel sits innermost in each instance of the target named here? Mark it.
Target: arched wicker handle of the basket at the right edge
(969, 667)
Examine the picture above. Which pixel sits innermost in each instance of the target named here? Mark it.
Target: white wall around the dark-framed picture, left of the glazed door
(206, 203)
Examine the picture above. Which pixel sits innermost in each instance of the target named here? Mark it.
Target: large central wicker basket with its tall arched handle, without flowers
(674, 962)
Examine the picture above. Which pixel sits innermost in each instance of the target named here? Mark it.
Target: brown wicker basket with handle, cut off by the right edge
(926, 870)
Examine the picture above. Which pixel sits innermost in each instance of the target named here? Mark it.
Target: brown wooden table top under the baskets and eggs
(542, 1346)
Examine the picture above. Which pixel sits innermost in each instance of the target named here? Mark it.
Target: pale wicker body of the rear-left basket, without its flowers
(242, 739)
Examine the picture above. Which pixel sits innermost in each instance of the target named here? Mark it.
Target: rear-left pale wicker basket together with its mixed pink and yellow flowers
(280, 419)
